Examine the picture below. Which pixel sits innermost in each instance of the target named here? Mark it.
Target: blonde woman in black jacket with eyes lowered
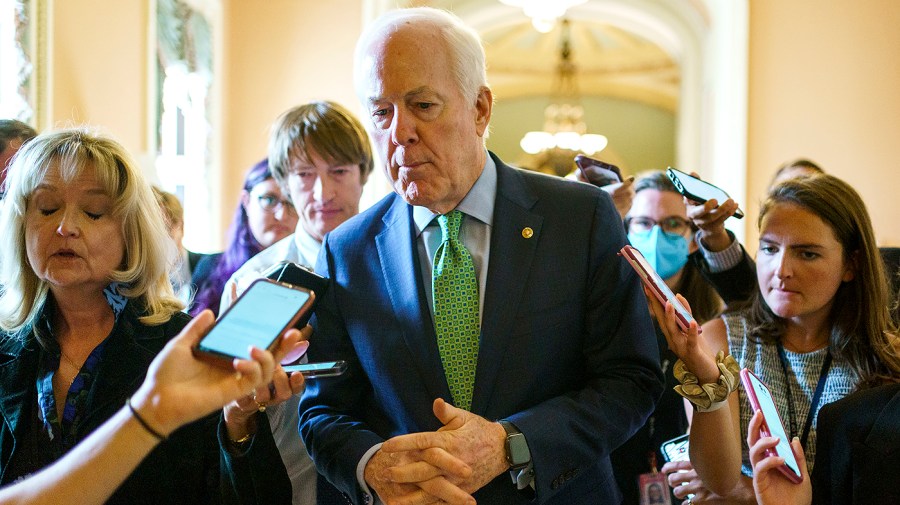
(86, 306)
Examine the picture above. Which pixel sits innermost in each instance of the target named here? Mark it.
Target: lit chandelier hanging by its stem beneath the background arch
(564, 126)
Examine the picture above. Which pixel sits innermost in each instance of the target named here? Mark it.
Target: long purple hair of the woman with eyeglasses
(242, 245)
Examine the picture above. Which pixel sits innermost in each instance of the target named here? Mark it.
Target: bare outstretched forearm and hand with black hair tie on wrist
(178, 389)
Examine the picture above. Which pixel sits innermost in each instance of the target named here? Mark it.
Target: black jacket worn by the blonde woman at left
(184, 469)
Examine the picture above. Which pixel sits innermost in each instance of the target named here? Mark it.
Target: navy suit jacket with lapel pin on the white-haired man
(567, 351)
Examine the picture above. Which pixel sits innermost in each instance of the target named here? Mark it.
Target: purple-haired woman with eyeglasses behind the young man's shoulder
(263, 217)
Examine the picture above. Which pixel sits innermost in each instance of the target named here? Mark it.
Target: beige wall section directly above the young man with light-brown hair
(278, 54)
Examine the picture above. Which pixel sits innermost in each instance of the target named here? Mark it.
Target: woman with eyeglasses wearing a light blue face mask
(658, 227)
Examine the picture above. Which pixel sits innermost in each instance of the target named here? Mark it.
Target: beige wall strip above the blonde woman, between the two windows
(99, 54)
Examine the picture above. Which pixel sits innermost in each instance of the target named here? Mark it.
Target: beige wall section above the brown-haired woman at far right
(824, 81)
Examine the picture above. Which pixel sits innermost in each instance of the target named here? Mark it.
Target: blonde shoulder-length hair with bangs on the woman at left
(144, 267)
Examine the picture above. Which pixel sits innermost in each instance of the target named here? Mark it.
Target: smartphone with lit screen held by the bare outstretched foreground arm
(258, 317)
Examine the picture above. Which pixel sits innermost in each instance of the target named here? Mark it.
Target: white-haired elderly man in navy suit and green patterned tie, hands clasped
(498, 348)
